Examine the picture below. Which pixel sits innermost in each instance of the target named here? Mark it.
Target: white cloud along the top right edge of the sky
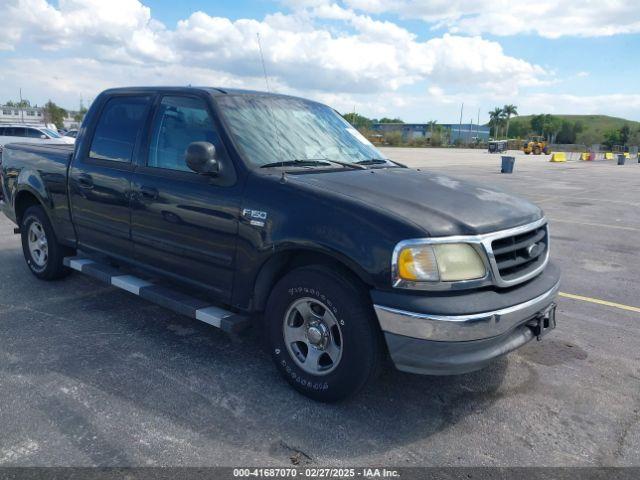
(547, 18)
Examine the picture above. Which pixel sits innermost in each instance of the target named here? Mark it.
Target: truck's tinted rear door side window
(118, 127)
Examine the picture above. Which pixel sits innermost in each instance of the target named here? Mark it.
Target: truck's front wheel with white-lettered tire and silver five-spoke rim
(322, 333)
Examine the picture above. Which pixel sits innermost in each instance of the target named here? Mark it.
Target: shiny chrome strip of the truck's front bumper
(460, 328)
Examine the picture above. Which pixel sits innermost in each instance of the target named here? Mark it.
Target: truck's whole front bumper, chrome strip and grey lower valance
(447, 343)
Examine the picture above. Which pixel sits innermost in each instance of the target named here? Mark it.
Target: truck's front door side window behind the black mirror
(179, 122)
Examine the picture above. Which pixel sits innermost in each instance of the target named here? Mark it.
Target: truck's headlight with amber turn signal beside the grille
(445, 262)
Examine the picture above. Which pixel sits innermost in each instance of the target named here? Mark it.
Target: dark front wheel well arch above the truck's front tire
(283, 262)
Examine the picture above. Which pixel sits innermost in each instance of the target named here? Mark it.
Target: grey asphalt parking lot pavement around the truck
(93, 376)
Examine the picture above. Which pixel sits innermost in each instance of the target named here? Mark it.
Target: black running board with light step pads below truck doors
(173, 300)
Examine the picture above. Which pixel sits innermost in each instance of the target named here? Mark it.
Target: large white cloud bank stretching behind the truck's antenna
(366, 56)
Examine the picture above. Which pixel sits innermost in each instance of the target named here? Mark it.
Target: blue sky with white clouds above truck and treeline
(414, 59)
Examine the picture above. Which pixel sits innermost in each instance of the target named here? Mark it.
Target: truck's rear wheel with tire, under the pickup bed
(42, 251)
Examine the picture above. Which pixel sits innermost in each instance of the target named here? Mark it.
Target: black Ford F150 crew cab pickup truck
(274, 209)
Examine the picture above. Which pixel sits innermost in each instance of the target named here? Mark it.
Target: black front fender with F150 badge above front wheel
(300, 218)
